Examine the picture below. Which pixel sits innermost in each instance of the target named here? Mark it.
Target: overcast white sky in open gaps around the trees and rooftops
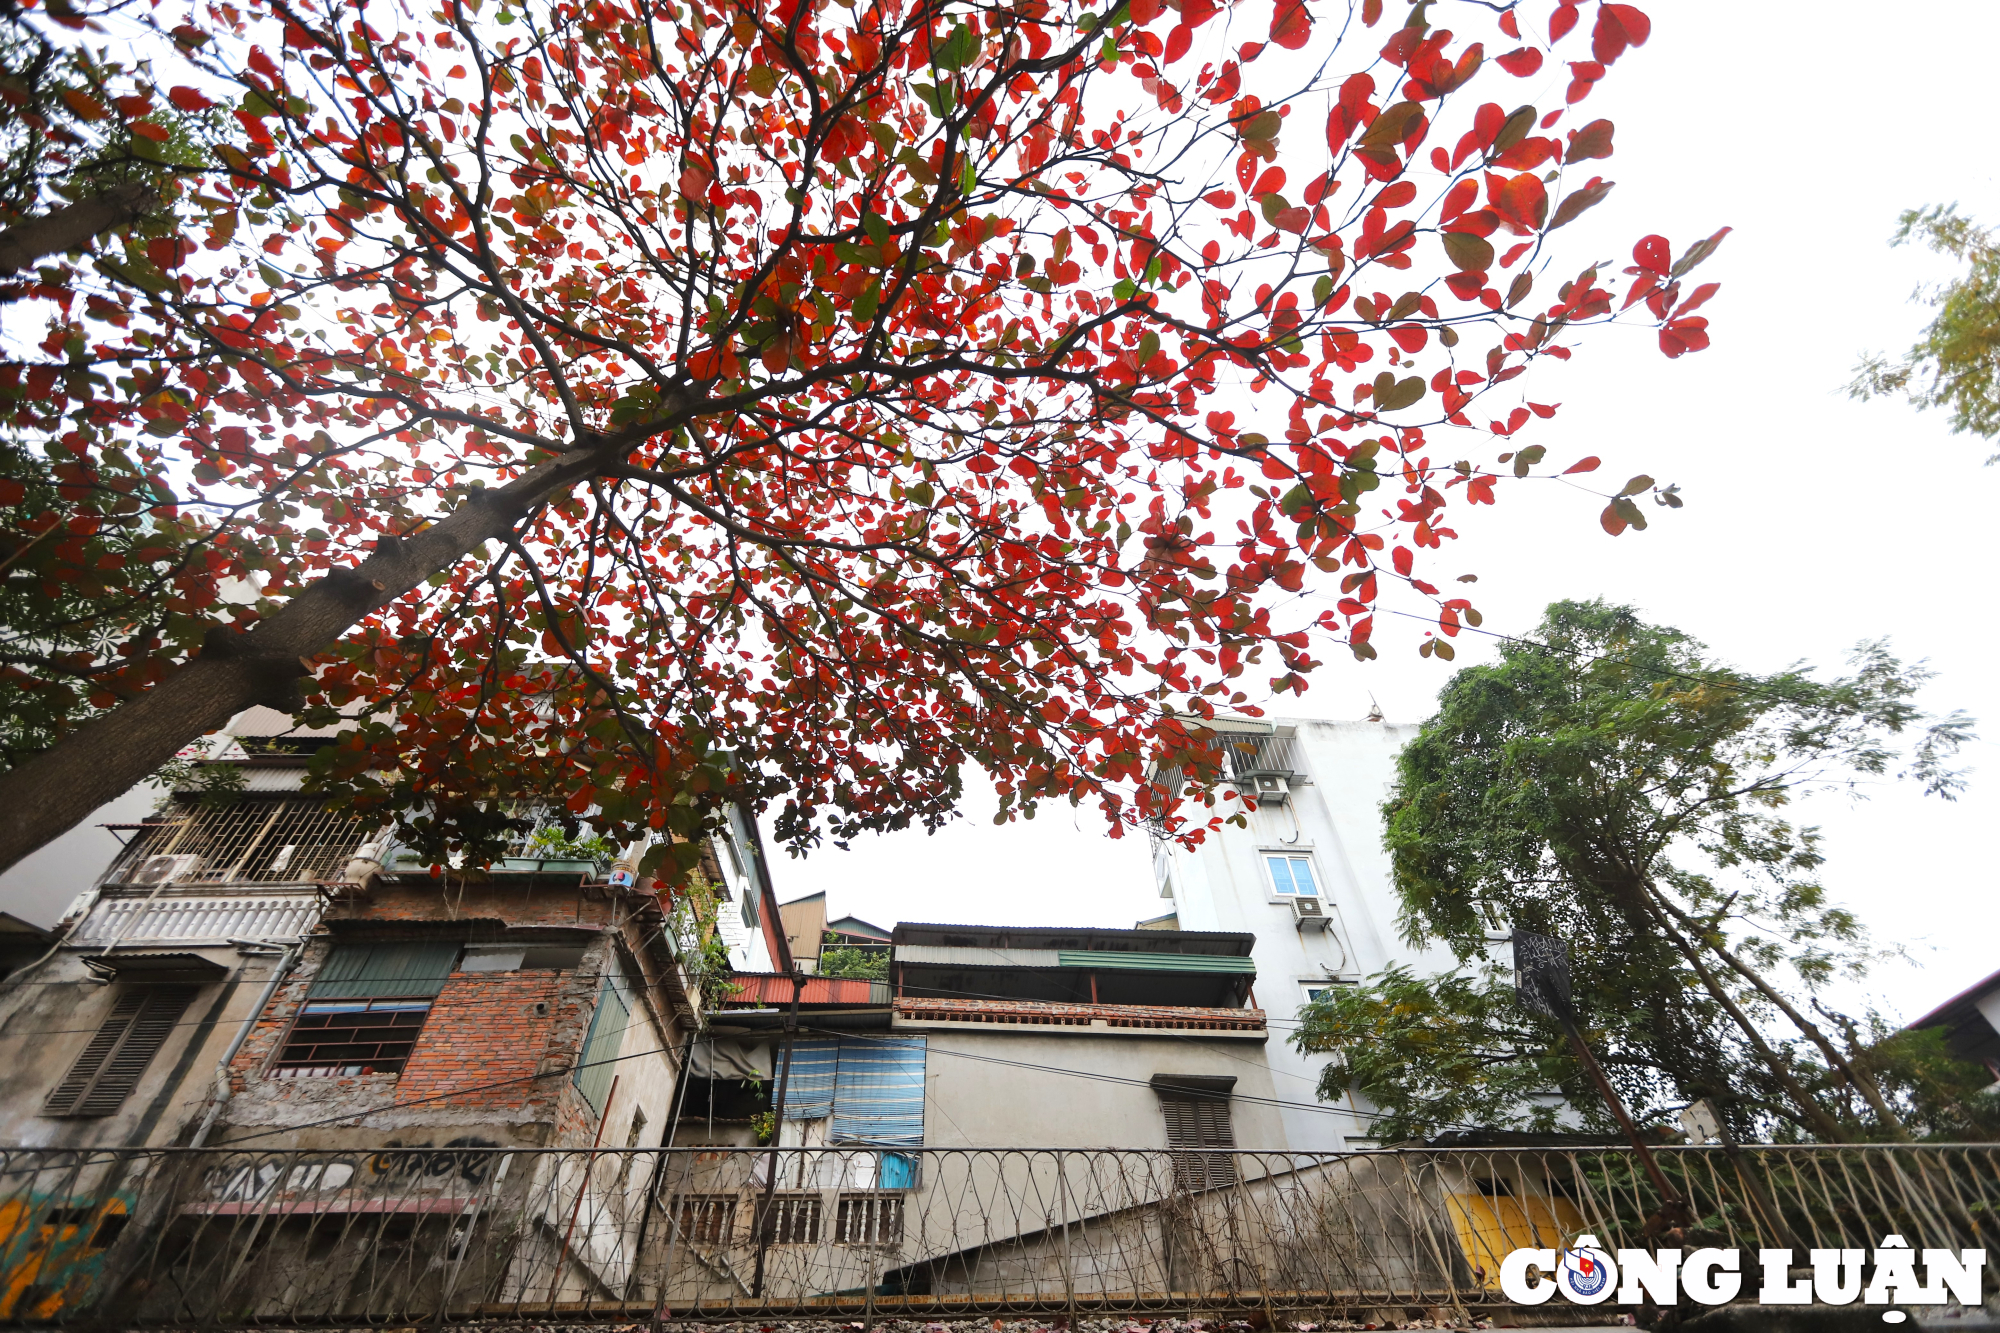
(1811, 523)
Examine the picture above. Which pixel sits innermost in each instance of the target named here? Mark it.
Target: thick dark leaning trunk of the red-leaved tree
(61, 788)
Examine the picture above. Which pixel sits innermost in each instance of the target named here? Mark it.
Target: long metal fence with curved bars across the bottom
(403, 1238)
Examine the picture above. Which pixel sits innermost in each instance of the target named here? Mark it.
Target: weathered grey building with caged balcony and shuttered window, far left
(117, 1024)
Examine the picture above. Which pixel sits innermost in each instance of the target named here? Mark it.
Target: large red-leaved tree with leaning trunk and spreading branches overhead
(633, 401)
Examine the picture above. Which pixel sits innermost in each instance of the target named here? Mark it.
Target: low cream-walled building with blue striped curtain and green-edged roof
(955, 1094)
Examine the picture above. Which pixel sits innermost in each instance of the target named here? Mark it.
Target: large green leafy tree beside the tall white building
(1611, 786)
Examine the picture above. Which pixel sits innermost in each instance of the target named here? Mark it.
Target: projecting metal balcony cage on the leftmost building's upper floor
(257, 842)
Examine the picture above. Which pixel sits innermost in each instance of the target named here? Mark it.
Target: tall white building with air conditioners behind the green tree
(1311, 880)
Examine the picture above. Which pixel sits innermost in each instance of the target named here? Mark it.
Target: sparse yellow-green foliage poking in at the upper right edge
(1957, 359)
